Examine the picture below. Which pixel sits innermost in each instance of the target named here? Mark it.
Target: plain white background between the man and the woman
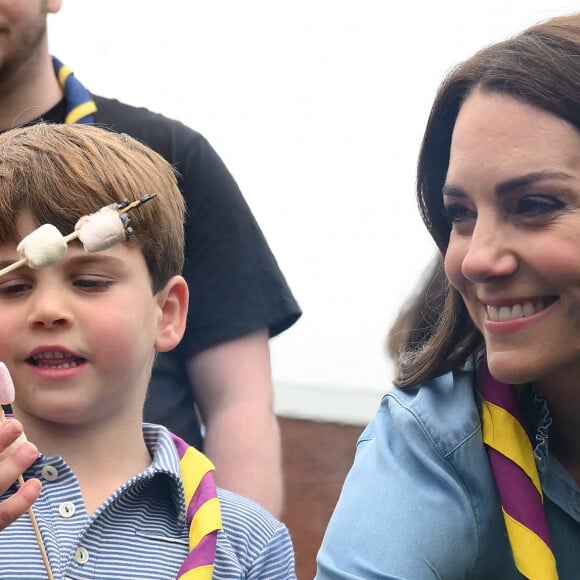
(317, 107)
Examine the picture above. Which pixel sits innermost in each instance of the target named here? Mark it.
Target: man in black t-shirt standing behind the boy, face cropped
(239, 297)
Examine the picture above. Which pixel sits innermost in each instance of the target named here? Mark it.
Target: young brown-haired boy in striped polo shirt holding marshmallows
(79, 339)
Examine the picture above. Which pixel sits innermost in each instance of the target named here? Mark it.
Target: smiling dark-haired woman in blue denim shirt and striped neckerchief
(473, 462)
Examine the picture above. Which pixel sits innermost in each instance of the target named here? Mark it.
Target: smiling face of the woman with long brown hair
(512, 196)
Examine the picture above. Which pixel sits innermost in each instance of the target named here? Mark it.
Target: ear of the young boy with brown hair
(173, 301)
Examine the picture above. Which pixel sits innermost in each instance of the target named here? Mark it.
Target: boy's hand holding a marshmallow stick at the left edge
(13, 464)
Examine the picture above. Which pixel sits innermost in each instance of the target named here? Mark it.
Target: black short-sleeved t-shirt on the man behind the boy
(235, 284)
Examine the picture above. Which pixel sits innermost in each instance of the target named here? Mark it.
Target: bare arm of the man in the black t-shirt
(233, 388)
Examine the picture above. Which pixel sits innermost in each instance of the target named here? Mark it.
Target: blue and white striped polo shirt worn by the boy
(140, 532)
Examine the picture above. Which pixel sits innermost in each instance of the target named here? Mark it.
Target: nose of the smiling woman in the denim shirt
(490, 253)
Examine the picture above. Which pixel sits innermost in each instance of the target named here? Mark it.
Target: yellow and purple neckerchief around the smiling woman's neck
(516, 475)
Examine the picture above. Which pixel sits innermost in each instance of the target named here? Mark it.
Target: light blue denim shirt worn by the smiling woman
(420, 501)
